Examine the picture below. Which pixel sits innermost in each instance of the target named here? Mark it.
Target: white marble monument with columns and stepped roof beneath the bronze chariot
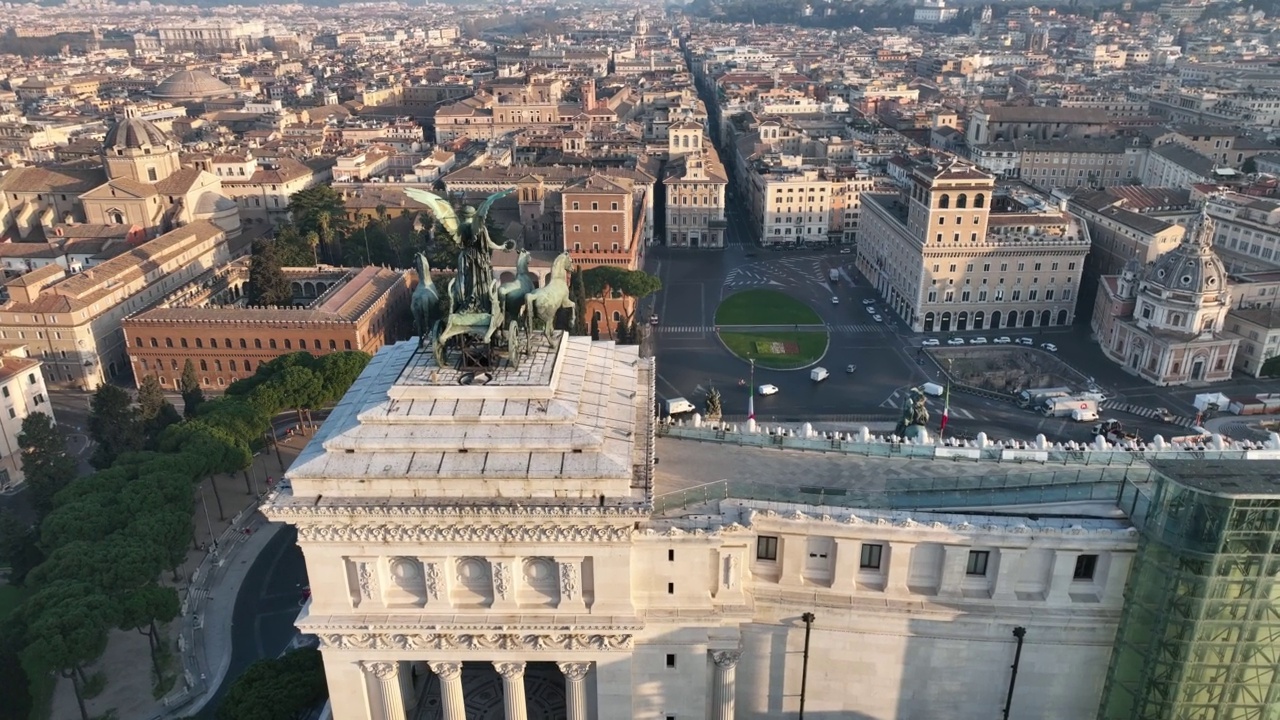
(509, 525)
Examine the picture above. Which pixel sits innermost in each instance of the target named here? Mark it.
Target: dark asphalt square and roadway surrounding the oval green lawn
(692, 359)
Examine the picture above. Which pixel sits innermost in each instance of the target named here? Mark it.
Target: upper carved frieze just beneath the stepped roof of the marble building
(464, 534)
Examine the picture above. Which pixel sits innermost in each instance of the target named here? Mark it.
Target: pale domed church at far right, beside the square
(1164, 322)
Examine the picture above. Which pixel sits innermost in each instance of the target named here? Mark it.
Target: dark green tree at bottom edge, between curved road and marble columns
(282, 689)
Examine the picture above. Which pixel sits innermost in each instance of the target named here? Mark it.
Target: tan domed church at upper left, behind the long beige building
(149, 188)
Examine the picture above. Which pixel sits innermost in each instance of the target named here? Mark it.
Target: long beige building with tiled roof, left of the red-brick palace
(72, 323)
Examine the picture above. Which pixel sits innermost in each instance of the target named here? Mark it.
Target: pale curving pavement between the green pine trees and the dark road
(200, 640)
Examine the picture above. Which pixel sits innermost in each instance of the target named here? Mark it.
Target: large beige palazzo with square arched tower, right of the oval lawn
(952, 254)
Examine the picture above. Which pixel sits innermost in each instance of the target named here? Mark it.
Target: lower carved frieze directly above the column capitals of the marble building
(478, 641)
